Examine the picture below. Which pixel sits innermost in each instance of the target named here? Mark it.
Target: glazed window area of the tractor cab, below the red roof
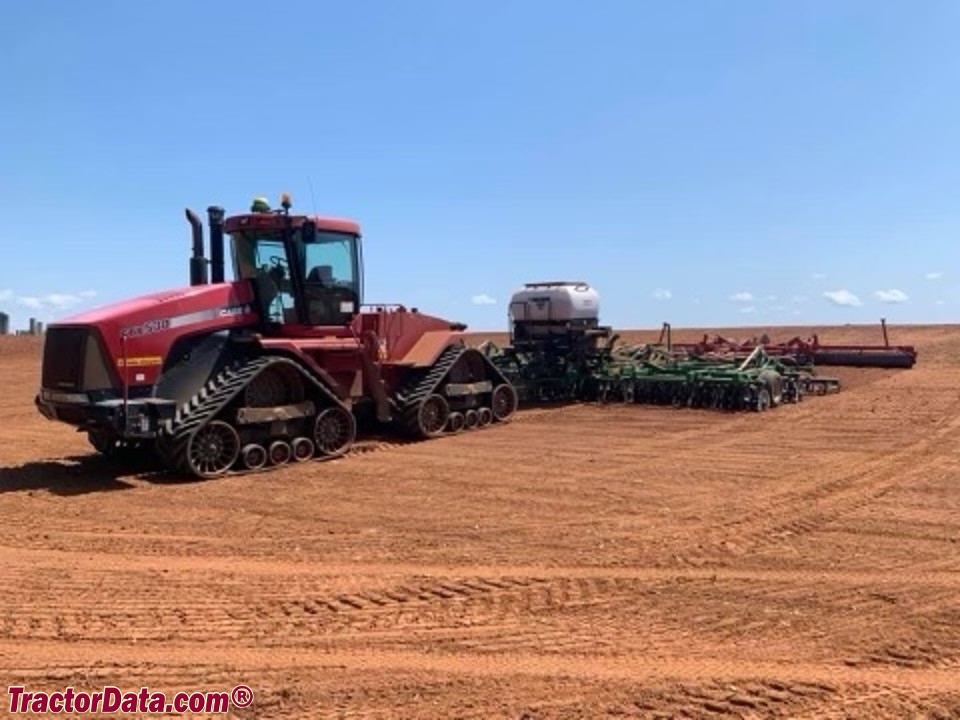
(297, 282)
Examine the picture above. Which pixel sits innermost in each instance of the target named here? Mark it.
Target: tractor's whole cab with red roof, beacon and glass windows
(304, 271)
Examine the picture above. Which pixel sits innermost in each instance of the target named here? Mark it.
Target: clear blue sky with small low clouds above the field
(704, 163)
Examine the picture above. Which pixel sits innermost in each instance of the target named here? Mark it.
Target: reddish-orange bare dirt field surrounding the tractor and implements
(579, 562)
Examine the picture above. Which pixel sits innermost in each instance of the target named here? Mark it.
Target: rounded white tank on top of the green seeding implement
(555, 302)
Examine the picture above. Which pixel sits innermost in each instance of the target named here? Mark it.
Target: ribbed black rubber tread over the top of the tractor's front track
(213, 397)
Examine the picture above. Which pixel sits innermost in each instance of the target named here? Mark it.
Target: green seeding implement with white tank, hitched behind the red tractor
(559, 352)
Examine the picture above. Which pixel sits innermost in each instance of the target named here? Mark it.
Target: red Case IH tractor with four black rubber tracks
(283, 364)
